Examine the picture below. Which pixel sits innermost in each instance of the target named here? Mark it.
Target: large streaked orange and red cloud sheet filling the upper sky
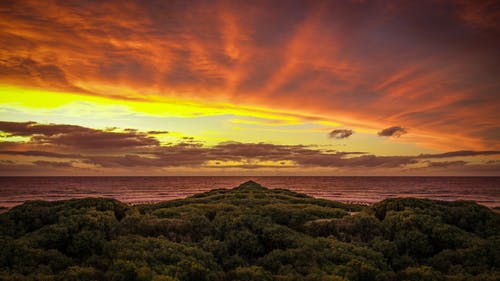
(431, 66)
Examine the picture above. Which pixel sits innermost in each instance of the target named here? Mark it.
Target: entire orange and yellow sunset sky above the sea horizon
(332, 88)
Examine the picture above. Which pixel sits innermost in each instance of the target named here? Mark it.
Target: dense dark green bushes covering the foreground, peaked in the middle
(250, 233)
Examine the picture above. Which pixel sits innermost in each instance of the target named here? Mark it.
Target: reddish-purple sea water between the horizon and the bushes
(16, 190)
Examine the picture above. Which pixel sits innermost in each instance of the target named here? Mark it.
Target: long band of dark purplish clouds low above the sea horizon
(131, 148)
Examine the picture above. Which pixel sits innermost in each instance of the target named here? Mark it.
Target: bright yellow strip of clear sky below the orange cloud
(258, 124)
